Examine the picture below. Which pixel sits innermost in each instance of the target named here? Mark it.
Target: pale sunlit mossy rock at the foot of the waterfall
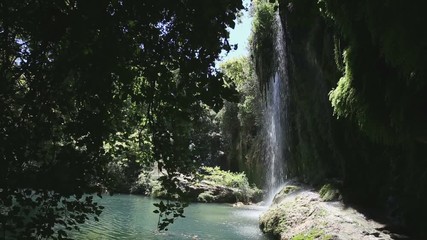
(298, 213)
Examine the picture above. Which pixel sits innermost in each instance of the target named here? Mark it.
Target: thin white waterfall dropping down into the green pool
(275, 117)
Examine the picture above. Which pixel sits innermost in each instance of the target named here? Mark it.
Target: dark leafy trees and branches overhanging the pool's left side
(88, 89)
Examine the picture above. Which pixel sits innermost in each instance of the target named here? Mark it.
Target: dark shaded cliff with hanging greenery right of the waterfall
(357, 100)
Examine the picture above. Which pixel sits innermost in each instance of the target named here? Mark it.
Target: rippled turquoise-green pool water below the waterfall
(132, 217)
